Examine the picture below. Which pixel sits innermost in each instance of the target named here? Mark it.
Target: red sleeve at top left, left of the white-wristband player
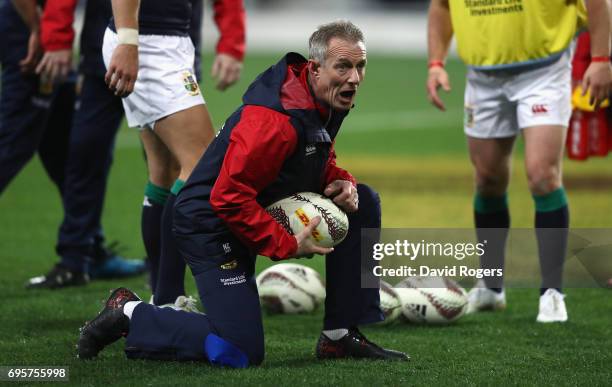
(56, 32)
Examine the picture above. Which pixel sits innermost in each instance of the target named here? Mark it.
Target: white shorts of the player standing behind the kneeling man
(166, 82)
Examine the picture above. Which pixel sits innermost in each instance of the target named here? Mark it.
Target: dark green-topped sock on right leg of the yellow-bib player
(552, 228)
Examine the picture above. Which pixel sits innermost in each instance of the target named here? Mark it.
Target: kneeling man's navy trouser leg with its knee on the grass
(232, 322)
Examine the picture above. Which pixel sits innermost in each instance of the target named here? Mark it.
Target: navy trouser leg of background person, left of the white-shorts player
(96, 119)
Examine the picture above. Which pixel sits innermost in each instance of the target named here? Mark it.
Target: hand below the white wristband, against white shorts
(122, 70)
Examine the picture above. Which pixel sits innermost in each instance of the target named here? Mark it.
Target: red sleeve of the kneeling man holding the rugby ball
(259, 145)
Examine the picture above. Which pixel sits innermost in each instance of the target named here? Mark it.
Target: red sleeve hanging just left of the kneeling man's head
(230, 18)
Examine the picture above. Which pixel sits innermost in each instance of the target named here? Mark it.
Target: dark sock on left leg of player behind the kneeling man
(150, 225)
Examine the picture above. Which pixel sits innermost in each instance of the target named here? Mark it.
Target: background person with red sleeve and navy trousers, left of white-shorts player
(97, 116)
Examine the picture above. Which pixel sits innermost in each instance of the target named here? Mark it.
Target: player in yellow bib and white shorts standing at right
(518, 81)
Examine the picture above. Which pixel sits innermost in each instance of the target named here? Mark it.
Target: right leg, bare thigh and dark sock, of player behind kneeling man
(186, 134)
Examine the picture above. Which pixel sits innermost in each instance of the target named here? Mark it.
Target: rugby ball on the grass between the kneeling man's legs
(289, 288)
